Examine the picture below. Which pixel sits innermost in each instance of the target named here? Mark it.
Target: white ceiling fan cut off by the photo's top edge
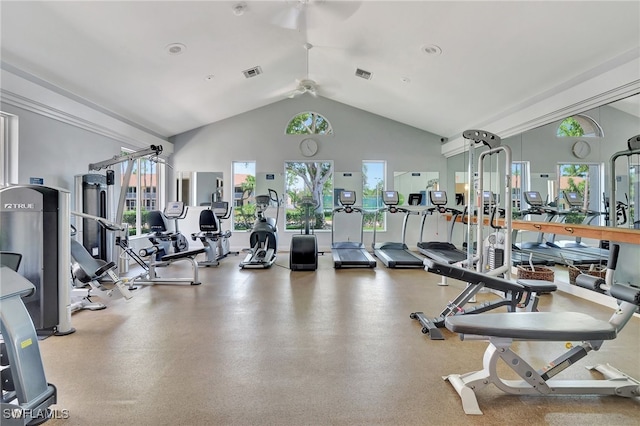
(298, 14)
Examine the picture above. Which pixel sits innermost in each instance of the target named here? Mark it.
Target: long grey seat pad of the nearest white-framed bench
(548, 326)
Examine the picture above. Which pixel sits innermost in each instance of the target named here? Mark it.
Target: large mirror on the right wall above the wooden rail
(573, 155)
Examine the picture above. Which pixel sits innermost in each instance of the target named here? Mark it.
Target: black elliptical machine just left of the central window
(264, 234)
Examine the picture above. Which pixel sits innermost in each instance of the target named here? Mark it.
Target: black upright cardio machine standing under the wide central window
(303, 255)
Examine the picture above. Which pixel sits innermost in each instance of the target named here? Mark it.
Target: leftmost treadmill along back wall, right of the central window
(350, 254)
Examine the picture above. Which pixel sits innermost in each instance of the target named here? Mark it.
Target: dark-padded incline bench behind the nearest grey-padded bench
(476, 281)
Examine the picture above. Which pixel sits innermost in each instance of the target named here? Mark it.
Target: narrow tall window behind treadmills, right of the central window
(373, 183)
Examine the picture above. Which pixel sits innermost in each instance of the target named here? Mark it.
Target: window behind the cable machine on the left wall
(142, 195)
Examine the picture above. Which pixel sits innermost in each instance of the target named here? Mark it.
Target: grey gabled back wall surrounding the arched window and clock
(259, 136)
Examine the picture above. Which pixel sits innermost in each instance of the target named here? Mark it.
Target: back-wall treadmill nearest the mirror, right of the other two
(444, 252)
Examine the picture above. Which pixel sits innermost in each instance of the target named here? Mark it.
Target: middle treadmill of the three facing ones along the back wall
(392, 254)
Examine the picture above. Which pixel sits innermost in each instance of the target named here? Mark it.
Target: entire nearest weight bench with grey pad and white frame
(503, 329)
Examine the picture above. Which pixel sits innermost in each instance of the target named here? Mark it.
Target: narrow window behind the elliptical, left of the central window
(244, 185)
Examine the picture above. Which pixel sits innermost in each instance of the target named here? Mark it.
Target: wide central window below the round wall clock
(309, 179)
